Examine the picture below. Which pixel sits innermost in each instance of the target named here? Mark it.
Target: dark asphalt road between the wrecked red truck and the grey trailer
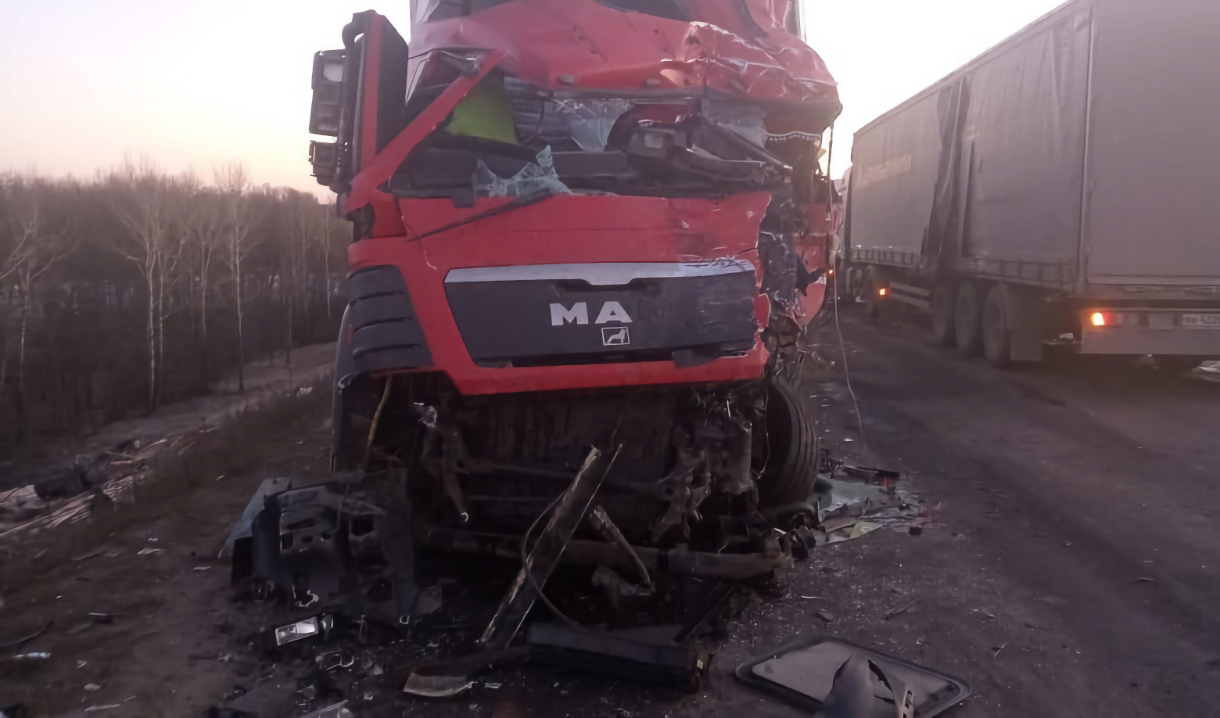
(1074, 572)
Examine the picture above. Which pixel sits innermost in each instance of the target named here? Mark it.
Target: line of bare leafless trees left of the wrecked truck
(138, 287)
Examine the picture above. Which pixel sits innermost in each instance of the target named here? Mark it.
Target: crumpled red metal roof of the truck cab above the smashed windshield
(564, 44)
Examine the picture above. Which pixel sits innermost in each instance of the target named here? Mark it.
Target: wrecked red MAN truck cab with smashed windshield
(580, 224)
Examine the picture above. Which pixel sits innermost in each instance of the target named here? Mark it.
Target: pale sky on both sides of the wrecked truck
(201, 84)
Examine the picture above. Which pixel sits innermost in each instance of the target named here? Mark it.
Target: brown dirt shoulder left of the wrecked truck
(167, 649)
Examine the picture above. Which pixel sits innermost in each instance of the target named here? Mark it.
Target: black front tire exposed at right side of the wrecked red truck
(791, 470)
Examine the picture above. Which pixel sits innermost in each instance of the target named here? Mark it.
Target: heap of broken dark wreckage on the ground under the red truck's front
(337, 560)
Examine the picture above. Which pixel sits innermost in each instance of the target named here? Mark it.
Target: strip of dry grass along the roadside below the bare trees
(236, 448)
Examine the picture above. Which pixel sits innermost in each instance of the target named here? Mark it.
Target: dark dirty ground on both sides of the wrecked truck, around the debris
(1071, 570)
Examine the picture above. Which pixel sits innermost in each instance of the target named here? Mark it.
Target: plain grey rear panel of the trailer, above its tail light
(1154, 165)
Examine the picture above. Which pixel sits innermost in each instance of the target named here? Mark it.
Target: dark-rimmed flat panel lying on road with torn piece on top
(839, 680)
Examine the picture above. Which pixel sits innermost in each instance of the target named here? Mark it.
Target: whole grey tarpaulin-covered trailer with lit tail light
(1039, 192)
